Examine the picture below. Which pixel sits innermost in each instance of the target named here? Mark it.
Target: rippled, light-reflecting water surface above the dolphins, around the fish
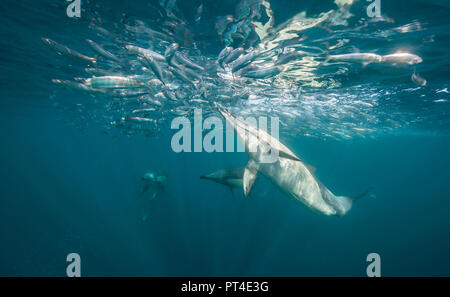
(313, 98)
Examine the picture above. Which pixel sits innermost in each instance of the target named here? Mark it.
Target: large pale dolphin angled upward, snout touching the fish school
(285, 170)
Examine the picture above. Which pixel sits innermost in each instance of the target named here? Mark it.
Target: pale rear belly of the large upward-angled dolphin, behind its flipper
(295, 180)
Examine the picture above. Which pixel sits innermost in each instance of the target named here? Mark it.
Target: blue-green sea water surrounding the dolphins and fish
(71, 176)
